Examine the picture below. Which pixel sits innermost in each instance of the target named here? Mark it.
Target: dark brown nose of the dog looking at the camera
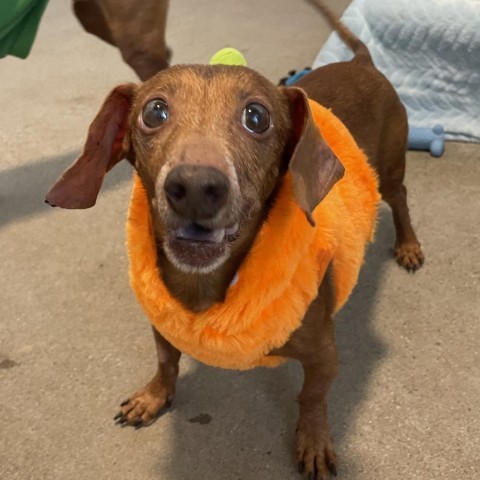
(196, 192)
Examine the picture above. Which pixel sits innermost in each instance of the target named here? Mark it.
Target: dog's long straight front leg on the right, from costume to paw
(313, 344)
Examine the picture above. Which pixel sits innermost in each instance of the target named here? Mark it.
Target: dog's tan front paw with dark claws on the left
(145, 406)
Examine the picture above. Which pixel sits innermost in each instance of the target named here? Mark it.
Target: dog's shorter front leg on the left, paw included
(146, 405)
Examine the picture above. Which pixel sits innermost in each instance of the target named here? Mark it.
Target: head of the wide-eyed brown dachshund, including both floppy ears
(210, 144)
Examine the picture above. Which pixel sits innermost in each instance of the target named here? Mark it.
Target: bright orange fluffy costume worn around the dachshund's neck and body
(279, 277)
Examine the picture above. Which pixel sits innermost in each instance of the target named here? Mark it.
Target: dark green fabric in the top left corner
(19, 20)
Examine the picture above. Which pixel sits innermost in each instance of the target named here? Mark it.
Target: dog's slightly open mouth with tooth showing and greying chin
(196, 247)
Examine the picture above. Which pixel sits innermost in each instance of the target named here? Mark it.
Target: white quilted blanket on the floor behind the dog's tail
(429, 50)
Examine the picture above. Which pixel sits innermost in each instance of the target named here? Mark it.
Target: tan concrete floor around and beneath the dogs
(73, 341)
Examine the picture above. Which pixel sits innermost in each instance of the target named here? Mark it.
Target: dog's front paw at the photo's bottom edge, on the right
(315, 454)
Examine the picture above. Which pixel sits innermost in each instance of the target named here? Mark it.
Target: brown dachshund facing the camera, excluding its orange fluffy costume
(212, 147)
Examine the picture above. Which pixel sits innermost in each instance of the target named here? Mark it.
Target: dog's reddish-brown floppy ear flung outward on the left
(79, 185)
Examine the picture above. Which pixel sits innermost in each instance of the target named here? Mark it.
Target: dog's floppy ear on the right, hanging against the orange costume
(314, 167)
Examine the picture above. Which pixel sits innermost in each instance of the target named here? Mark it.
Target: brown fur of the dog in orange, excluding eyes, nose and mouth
(205, 105)
